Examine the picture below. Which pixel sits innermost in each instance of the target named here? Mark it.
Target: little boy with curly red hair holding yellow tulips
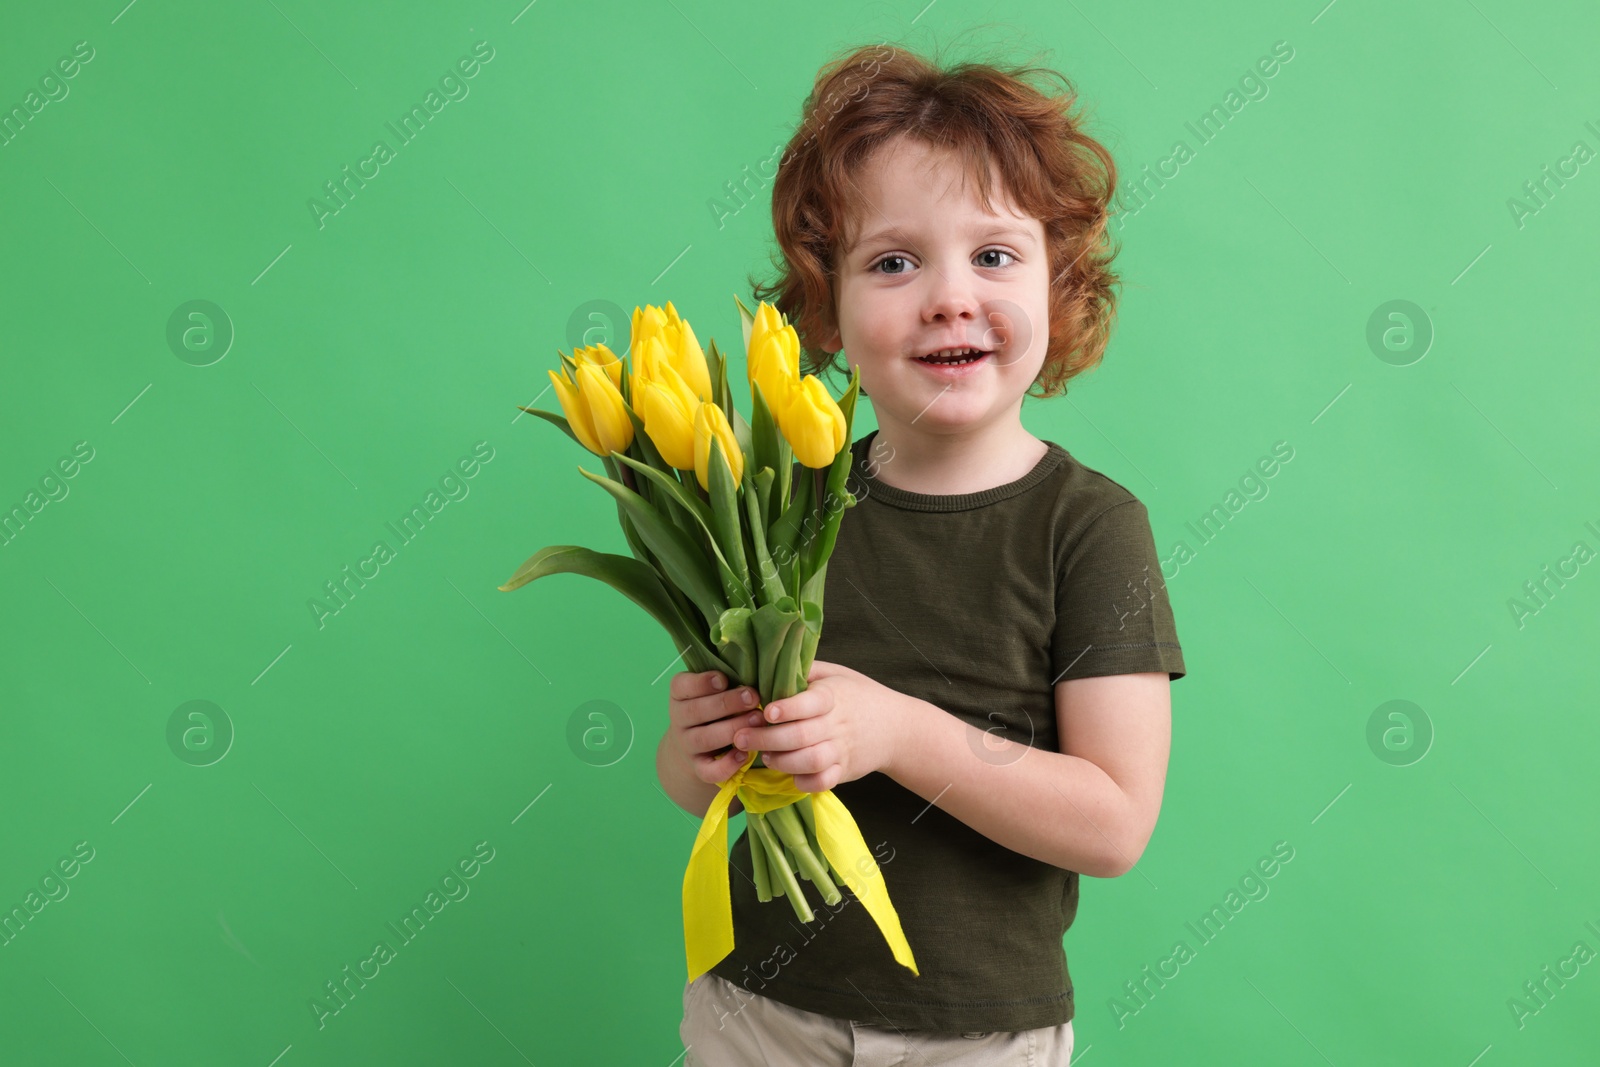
(991, 690)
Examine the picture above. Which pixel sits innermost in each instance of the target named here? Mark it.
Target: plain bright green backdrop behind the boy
(1436, 871)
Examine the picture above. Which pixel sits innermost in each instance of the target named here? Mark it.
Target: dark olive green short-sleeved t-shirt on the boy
(978, 604)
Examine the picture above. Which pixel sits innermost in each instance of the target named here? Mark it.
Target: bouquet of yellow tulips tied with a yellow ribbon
(730, 557)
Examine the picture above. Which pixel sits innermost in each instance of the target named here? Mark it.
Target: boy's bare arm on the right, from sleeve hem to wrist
(1089, 809)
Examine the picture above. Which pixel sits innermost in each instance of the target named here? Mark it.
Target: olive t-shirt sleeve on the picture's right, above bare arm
(1113, 613)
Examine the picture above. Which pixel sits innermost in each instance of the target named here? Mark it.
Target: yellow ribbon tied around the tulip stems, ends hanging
(708, 909)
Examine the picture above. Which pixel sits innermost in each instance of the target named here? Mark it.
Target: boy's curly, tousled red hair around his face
(990, 116)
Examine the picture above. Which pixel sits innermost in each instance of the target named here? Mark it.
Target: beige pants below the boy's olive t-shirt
(726, 1026)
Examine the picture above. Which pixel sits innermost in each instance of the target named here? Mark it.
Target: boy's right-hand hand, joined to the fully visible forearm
(841, 729)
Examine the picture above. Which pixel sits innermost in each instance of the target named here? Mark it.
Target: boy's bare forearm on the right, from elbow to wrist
(1057, 809)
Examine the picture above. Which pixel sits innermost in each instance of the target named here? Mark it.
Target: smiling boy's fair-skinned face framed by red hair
(930, 270)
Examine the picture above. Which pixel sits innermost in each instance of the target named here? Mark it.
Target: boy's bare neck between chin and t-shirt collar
(953, 465)
